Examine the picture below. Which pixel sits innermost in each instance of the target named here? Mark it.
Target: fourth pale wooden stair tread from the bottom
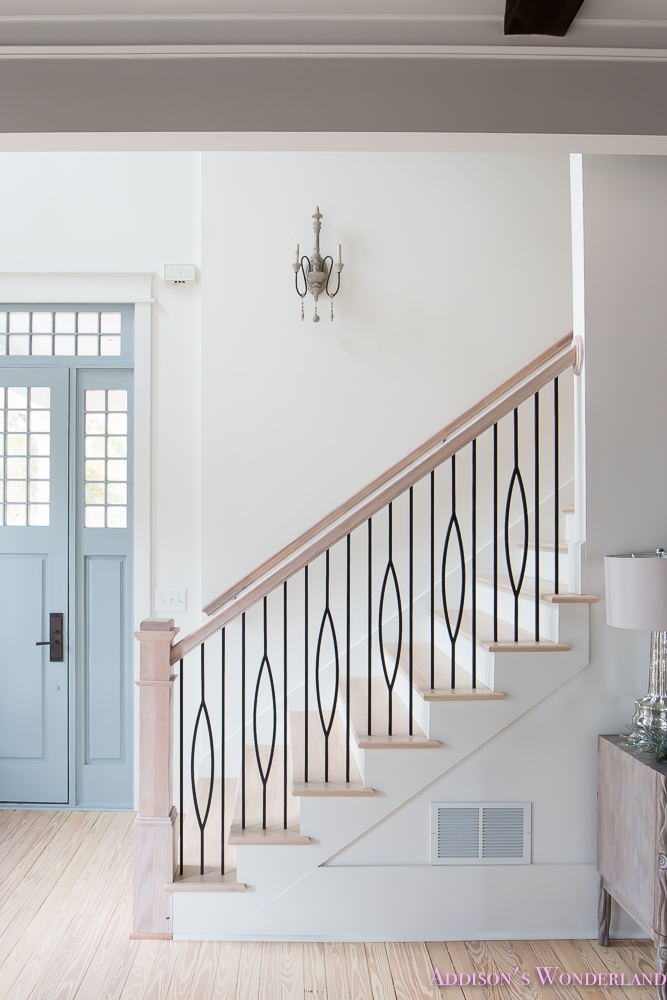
(379, 738)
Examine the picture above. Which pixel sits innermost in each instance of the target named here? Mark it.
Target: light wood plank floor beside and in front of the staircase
(65, 913)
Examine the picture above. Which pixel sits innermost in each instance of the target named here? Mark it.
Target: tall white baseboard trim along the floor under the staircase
(436, 903)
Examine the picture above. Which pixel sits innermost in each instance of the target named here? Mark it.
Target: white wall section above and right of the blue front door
(111, 212)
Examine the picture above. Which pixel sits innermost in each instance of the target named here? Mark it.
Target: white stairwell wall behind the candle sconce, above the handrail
(457, 272)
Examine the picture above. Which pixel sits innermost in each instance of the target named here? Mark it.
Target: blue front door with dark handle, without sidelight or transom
(34, 543)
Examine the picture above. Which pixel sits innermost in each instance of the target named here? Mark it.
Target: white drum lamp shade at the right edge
(636, 591)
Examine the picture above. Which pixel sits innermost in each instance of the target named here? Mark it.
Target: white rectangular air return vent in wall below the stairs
(480, 833)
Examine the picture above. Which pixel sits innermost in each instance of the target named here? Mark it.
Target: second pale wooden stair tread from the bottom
(275, 832)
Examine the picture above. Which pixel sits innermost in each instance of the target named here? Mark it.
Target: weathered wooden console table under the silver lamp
(632, 842)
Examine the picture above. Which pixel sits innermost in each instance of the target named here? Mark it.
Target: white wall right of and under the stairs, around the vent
(549, 756)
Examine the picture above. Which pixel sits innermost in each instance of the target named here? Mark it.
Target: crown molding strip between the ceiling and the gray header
(367, 30)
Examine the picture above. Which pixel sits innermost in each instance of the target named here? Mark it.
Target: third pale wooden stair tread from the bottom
(316, 785)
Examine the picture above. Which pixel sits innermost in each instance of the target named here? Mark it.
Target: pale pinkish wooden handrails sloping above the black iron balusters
(391, 484)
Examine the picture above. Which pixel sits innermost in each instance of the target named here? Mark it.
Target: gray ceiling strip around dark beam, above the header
(600, 23)
